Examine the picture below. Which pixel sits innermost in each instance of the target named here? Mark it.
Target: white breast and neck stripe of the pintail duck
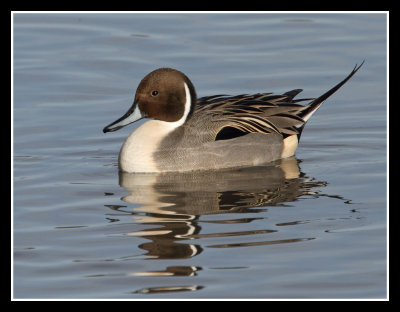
(136, 154)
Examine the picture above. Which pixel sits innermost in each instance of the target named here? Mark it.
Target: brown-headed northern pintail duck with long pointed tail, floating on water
(187, 133)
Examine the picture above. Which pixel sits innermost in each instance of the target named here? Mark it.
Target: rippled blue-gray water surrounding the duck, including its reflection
(313, 226)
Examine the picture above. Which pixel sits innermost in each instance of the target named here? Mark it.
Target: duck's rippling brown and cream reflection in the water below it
(174, 203)
